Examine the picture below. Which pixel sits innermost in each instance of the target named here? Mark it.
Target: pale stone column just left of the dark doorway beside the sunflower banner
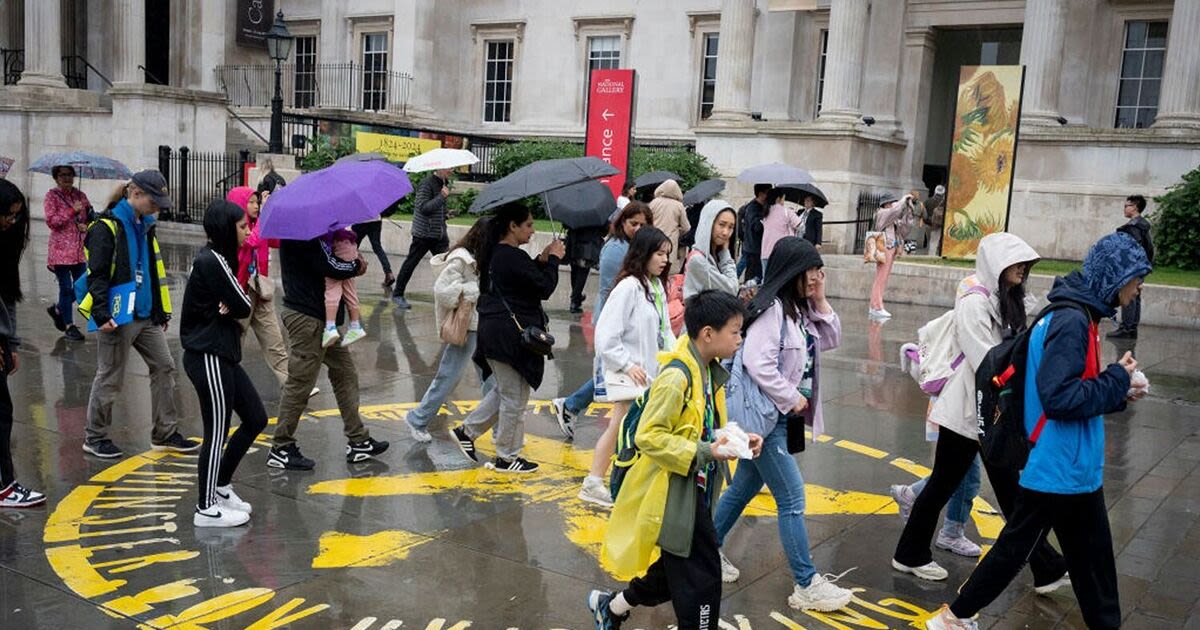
(844, 61)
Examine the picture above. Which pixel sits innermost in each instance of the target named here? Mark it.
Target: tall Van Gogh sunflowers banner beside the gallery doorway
(982, 155)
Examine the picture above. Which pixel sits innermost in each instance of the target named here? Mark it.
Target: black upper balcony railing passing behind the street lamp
(351, 87)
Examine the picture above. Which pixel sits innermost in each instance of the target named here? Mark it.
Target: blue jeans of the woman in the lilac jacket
(779, 470)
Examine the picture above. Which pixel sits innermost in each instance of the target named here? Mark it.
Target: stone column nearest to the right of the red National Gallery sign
(735, 62)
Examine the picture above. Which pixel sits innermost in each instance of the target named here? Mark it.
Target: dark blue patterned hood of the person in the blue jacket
(1112, 263)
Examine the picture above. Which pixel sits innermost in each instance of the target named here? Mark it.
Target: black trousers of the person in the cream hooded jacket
(951, 464)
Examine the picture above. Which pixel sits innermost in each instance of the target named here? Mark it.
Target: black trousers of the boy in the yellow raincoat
(692, 585)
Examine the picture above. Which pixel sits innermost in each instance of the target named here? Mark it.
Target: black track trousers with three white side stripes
(224, 388)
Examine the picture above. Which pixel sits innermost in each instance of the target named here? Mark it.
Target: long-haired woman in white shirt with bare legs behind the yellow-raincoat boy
(632, 332)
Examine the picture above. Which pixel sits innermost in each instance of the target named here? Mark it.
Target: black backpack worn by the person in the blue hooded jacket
(1000, 397)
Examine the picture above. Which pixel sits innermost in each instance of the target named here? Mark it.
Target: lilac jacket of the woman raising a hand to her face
(778, 365)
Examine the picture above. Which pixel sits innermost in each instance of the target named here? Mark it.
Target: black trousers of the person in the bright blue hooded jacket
(1082, 524)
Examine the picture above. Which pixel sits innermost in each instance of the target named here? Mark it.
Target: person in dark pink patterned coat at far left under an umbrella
(68, 212)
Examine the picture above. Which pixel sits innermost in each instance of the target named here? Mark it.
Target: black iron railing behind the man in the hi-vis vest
(196, 178)
